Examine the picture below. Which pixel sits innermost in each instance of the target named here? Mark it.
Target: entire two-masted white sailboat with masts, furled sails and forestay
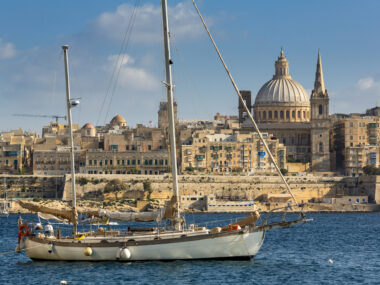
(173, 239)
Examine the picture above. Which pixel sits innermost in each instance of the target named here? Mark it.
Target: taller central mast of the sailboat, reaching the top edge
(169, 87)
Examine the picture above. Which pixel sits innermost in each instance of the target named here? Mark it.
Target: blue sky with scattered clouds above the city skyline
(116, 56)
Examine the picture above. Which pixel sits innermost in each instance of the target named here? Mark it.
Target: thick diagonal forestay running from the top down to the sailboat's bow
(245, 107)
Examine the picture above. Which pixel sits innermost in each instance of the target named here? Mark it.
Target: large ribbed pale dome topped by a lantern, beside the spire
(282, 90)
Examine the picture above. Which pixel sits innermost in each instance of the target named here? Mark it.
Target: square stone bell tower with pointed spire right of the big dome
(320, 122)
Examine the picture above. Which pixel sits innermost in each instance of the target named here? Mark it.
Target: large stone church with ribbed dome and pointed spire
(282, 107)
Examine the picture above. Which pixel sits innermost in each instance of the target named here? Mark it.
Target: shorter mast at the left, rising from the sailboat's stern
(69, 105)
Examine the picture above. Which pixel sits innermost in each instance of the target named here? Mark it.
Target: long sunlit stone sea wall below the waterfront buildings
(305, 189)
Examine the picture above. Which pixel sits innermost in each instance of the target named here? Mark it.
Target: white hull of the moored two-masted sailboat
(220, 246)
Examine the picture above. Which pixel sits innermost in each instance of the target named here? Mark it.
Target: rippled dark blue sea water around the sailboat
(298, 255)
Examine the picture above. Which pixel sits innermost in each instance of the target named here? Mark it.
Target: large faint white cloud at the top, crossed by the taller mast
(183, 21)
